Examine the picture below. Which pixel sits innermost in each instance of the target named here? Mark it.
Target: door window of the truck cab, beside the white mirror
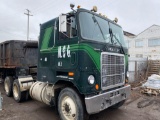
(71, 29)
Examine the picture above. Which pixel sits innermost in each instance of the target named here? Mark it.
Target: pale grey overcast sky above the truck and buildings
(134, 15)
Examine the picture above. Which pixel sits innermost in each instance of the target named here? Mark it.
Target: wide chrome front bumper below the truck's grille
(102, 101)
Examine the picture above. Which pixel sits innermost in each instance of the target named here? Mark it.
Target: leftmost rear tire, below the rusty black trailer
(8, 83)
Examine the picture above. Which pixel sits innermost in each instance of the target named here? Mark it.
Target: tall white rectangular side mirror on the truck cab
(62, 23)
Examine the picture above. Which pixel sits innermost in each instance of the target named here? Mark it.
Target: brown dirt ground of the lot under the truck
(137, 107)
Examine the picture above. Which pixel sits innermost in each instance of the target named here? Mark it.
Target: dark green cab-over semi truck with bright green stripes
(82, 65)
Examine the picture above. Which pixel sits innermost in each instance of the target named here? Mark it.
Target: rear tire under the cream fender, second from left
(17, 94)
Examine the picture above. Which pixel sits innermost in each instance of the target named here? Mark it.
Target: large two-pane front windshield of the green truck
(98, 29)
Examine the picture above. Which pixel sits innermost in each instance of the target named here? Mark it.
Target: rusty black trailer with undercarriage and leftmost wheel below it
(18, 58)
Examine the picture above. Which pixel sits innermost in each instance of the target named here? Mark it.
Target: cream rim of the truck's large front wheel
(68, 107)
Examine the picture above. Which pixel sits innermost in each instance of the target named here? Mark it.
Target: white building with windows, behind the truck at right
(146, 44)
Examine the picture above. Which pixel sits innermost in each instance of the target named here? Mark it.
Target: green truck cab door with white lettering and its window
(67, 45)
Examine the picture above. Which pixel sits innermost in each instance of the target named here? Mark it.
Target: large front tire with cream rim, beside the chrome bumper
(70, 105)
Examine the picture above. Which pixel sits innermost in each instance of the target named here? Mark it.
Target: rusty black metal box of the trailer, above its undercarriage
(17, 53)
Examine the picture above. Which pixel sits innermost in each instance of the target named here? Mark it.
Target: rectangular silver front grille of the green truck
(112, 70)
